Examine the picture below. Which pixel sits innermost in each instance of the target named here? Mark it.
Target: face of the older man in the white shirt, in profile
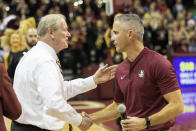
(62, 36)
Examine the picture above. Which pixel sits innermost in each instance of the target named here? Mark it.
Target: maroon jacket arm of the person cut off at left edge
(9, 104)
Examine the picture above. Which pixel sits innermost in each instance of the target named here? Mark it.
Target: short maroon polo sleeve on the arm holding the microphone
(165, 76)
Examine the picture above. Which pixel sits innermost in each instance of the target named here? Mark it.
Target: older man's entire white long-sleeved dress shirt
(43, 93)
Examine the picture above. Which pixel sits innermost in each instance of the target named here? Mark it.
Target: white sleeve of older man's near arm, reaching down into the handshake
(50, 88)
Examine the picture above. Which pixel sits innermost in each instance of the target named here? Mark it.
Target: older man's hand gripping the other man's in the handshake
(86, 122)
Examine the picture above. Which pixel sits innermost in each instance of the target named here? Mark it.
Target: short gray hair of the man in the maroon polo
(133, 22)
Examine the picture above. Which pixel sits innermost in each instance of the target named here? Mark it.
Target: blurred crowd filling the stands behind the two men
(169, 27)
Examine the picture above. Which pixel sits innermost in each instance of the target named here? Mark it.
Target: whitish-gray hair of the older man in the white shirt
(51, 21)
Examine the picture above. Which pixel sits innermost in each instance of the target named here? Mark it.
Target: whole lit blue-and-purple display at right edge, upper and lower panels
(185, 68)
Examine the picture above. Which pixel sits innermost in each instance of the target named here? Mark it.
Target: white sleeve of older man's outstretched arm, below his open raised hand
(78, 86)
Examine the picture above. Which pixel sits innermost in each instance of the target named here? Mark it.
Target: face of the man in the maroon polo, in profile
(120, 37)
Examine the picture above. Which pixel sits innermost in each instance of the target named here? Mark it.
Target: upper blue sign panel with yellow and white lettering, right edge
(185, 68)
